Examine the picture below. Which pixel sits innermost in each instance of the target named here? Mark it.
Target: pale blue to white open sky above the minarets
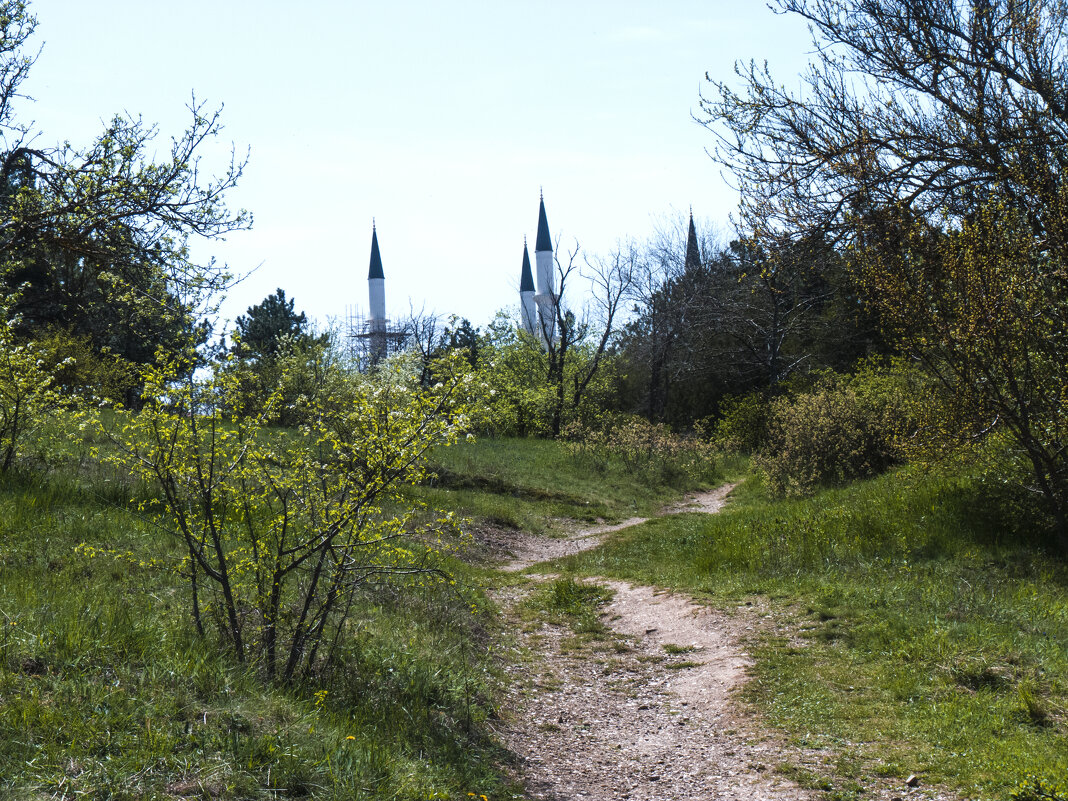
(441, 120)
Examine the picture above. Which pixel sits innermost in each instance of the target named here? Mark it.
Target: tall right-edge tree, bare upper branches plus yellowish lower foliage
(932, 138)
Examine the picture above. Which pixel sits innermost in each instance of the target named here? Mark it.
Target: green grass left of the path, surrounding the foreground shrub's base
(107, 694)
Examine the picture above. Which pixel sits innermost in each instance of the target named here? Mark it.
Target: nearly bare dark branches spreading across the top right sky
(929, 106)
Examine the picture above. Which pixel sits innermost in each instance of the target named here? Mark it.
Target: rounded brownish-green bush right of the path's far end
(843, 429)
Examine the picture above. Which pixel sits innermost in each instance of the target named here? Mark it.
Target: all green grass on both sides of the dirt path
(920, 627)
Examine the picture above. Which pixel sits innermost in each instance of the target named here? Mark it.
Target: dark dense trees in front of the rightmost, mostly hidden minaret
(745, 318)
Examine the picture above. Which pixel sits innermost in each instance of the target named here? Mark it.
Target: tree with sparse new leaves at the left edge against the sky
(97, 238)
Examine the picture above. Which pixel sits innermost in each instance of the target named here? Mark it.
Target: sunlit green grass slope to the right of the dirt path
(930, 625)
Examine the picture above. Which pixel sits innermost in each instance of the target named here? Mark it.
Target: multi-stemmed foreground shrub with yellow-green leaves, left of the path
(281, 527)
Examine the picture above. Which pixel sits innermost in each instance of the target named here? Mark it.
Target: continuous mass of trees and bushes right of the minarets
(908, 201)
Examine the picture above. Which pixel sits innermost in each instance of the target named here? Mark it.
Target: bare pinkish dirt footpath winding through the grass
(652, 711)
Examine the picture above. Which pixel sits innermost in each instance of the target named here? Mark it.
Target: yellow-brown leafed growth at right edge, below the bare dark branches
(985, 307)
